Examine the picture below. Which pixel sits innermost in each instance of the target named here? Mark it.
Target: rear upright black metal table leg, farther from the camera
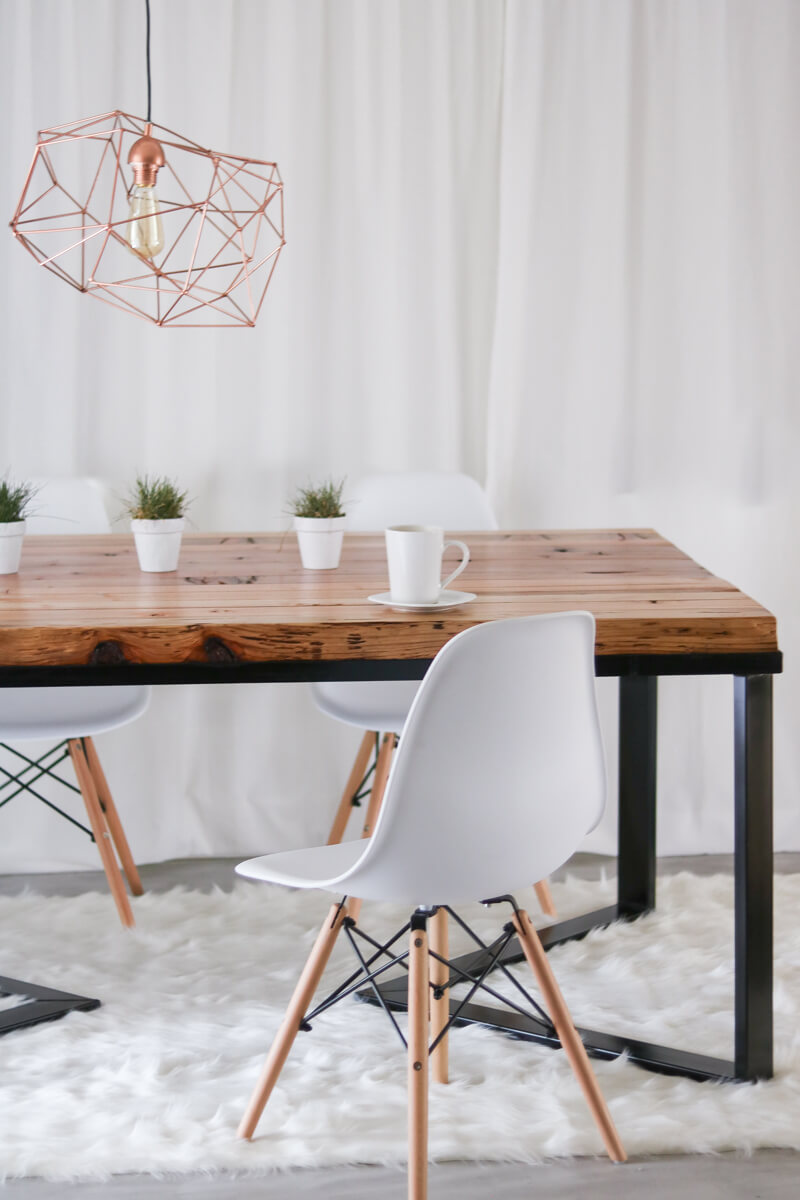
(636, 885)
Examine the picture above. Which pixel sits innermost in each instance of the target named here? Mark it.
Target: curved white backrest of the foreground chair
(501, 770)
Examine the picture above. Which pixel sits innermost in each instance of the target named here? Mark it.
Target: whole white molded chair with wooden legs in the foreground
(478, 796)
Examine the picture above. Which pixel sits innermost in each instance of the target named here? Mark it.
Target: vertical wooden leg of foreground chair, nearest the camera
(418, 1065)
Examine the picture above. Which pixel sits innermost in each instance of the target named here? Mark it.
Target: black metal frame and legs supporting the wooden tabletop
(637, 829)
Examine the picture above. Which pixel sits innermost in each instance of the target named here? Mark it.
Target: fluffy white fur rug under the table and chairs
(158, 1079)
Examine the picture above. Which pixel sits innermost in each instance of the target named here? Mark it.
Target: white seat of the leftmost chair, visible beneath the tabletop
(31, 713)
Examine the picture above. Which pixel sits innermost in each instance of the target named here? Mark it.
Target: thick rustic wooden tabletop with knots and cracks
(246, 598)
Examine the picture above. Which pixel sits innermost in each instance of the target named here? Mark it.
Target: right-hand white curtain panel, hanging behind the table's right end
(645, 347)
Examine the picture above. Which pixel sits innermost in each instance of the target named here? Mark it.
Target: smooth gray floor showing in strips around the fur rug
(766, 1175)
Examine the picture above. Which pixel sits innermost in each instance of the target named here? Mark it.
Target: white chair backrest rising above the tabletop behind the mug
(419, 497)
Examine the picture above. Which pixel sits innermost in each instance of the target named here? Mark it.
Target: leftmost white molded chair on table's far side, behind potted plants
(74, 716)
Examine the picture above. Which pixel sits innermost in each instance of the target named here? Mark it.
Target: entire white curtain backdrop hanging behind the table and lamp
(551, 243)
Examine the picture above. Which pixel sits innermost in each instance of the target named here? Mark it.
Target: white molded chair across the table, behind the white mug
(449, 500)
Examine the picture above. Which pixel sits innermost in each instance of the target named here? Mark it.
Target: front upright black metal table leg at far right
(754, 875)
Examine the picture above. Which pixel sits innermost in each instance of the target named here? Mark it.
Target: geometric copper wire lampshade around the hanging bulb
(220, 250)
